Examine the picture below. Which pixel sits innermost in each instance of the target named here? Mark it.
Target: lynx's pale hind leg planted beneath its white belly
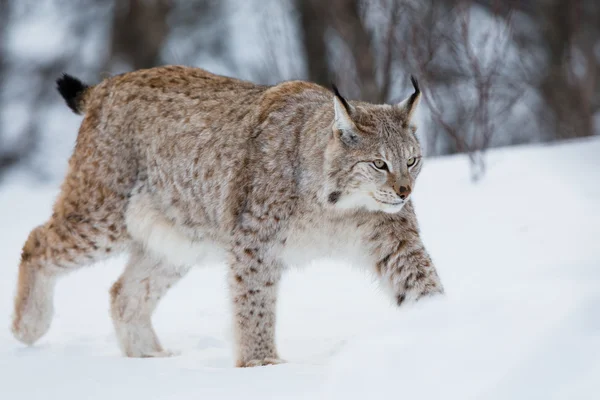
(135, 296)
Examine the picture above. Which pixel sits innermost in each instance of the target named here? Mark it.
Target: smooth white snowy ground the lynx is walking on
(519, 254)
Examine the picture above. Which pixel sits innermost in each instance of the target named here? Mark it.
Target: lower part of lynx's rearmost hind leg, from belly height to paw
(72, 238)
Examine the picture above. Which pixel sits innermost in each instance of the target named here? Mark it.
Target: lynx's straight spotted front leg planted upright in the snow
(253, 285)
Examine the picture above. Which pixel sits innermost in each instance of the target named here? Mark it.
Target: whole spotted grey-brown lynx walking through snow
(180, 167)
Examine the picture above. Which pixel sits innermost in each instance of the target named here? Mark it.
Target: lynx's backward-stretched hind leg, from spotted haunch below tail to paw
(87, 224)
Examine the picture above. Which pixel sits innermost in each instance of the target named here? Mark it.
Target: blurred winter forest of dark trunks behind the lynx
(493, 72)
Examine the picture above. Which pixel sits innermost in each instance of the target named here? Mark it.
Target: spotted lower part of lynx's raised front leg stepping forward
(406, 268)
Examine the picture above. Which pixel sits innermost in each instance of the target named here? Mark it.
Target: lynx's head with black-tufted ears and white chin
(373, 156)
